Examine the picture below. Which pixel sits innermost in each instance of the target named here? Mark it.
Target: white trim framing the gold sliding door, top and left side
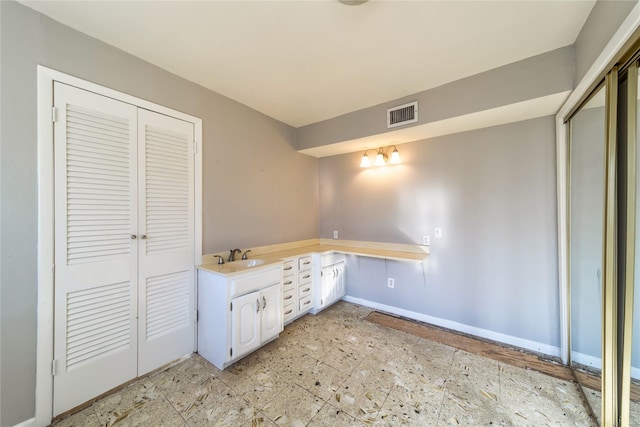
(617, 42)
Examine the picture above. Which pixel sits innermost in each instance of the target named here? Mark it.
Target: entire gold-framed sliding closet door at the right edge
(604, 232)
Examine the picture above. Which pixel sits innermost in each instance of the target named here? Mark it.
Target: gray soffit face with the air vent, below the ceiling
(549, 73)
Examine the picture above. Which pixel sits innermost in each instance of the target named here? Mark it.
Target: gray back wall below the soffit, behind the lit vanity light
(493, 192)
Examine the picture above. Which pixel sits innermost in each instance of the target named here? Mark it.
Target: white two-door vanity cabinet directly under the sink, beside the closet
(238, 313)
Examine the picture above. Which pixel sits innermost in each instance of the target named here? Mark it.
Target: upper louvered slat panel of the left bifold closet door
(98, 185)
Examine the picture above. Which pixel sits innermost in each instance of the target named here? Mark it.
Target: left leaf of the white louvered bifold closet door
(95, 326)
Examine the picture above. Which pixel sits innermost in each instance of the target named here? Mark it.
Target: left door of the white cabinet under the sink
(245, 324)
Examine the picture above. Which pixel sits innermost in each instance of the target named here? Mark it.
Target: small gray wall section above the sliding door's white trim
(602, 23)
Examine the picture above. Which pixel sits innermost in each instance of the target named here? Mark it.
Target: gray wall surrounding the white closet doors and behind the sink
(257, 189)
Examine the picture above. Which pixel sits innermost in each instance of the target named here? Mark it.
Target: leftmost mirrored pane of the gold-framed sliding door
(587, 154)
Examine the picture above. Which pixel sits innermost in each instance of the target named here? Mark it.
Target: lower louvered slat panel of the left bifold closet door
(98, 321)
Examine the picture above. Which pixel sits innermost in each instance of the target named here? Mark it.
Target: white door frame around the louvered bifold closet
(45, 250)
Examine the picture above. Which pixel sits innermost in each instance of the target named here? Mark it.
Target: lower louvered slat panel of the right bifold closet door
(167, 302)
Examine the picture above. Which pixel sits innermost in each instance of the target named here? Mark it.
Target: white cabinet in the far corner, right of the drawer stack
(332, 285)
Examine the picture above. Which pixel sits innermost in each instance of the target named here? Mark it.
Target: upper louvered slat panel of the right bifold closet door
(167, 189)
